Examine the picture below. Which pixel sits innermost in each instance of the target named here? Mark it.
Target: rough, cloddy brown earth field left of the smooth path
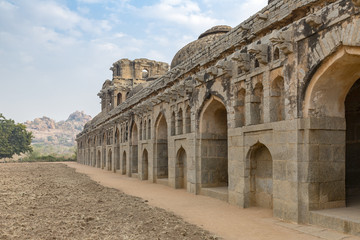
(52, 201)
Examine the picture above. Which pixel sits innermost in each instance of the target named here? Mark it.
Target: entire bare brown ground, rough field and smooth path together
(52, 201)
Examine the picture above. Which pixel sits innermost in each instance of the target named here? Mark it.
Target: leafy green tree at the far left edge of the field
(14, 139)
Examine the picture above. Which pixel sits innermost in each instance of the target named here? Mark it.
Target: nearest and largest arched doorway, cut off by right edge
(331, 98)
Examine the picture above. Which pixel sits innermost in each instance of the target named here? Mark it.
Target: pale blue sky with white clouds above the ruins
(56, 54)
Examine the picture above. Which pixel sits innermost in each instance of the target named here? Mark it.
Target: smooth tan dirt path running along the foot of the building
(224, 220)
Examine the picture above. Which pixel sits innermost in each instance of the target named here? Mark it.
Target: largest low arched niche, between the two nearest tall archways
(261, 177)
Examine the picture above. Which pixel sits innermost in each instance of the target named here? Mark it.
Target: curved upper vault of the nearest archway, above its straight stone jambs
(325, 94)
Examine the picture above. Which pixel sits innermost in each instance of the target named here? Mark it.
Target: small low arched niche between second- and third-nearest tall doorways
(181, 169)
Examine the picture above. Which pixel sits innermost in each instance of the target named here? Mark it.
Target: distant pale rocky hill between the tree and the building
(56, 137)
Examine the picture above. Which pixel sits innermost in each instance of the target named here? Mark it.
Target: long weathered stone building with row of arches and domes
(264, 114)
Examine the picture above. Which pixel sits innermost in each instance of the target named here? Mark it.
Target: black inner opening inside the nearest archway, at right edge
(352, 115)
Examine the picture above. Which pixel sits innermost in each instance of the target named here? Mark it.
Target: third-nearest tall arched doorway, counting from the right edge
(162, 147)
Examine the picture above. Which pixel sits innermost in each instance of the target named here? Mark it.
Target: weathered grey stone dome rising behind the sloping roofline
(204, 40)
